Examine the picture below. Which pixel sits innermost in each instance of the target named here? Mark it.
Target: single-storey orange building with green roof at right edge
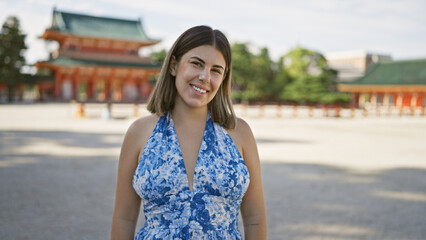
(390, 84)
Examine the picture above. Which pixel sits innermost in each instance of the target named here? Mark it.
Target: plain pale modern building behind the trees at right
(351, 65)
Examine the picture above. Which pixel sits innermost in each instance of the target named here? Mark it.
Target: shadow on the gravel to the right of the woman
(306, 201)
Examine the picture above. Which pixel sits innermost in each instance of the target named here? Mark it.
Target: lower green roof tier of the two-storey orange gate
(80, 62)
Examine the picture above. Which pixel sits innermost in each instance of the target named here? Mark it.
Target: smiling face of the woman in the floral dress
(198, 74)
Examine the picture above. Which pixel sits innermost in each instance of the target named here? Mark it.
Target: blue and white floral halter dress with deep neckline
(172, 211)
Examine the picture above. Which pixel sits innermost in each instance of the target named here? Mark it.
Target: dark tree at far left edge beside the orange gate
(12, 46)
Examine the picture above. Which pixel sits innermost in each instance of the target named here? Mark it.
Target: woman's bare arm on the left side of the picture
(127, 202)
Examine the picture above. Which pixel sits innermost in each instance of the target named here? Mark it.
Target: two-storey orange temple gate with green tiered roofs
(97, 59)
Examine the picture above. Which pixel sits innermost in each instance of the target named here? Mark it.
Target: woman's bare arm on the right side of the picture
(253, 209)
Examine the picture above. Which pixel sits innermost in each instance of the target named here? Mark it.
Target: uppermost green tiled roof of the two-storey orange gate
(99, 27)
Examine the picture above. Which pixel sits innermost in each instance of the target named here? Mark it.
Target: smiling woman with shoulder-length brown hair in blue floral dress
(192, 162)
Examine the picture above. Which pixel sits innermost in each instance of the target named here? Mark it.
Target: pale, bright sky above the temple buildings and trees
(390, 27)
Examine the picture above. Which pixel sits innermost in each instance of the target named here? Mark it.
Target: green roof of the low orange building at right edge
(408, 72)
